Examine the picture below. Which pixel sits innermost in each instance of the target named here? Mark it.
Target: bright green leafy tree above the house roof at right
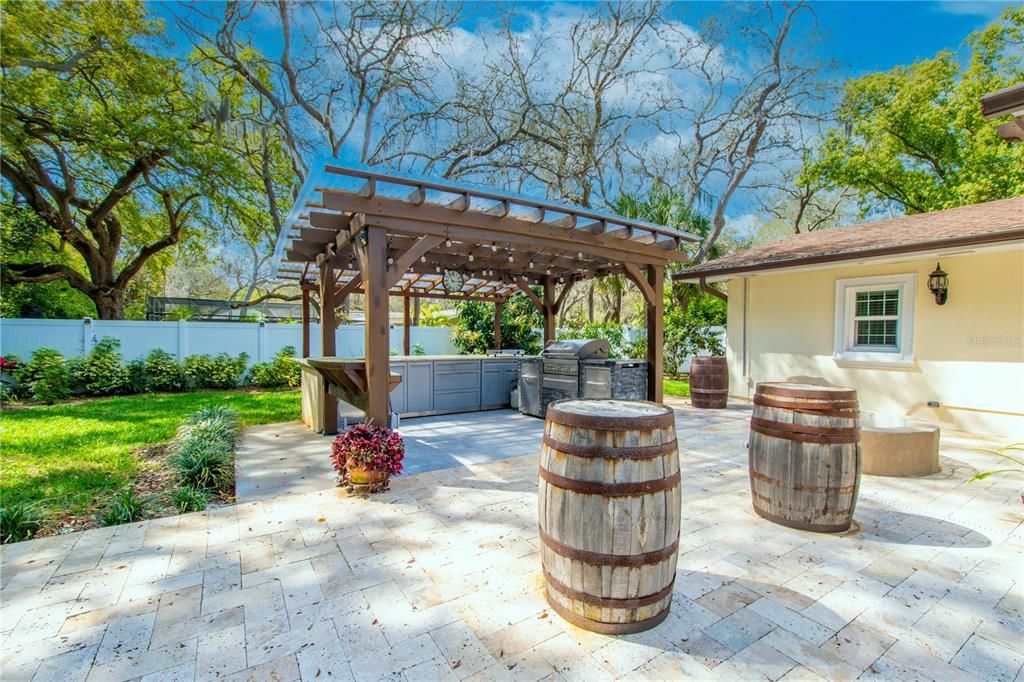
(913, 140)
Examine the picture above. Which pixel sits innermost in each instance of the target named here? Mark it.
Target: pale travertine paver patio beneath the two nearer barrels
(439, 579)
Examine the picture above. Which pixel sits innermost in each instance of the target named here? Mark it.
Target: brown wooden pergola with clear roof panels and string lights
(383, 234)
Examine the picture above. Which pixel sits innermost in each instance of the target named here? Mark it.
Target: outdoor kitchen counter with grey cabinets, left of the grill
(431, 385)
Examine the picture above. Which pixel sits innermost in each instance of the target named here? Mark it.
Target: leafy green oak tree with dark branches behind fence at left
(111, 148)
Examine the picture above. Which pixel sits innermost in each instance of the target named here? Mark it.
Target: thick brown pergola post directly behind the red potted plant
(377, 342)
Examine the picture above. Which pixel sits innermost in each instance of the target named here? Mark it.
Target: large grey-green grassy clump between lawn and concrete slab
(203, 452)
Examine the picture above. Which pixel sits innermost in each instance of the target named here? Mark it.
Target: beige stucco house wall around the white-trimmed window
(968, 355)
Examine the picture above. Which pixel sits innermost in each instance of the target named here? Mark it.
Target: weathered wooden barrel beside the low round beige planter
(805, 456)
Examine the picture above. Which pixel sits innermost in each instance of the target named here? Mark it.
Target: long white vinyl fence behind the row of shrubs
(261, 340)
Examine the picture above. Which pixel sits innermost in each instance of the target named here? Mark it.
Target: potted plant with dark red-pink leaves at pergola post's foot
(366, 456)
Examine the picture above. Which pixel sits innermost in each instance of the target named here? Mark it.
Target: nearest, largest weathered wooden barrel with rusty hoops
(609, 503)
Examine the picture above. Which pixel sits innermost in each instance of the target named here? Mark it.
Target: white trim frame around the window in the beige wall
(846, 290)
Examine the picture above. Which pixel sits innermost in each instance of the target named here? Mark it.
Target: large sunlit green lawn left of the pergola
(72, 457)
